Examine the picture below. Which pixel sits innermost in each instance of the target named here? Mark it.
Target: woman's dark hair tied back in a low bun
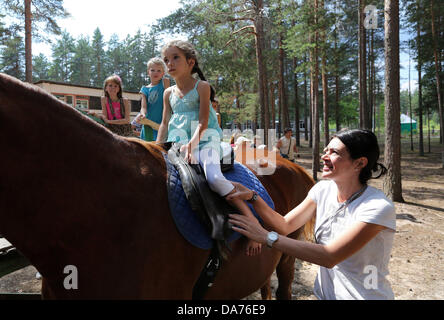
(363, 143)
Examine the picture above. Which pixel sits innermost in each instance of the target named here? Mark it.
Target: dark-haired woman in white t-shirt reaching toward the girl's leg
(354, 227)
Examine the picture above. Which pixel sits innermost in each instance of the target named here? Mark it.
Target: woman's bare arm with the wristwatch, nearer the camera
(329, 255)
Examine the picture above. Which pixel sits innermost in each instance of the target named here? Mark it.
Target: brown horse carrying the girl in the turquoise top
(74, 194)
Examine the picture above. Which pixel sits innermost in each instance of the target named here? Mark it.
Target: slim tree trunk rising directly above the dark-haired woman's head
(362, 70)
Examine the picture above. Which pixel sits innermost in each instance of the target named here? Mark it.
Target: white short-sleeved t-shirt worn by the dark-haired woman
(362, 275)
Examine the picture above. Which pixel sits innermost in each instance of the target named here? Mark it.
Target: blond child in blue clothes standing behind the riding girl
(152, 97)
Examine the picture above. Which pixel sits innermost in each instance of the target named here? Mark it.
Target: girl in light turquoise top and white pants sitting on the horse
(188, 118)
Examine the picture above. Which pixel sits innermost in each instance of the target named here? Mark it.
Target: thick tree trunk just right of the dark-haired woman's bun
(392, 151)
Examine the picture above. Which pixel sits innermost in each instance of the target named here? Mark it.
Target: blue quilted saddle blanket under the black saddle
(186, 219)
